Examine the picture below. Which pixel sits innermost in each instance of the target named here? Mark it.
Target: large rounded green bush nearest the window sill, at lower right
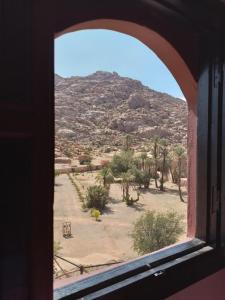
(153, 231)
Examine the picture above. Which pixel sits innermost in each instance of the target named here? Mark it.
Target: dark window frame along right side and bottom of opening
(202, 255)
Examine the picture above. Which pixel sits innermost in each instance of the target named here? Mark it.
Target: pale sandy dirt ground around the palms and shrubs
(102, 242)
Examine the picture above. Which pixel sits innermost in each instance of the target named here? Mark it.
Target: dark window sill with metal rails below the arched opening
(150, 267)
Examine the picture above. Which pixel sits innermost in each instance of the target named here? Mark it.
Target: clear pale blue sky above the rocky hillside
(86, 51)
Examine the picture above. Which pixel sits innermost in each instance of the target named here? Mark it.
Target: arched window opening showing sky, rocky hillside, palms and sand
(120, 149)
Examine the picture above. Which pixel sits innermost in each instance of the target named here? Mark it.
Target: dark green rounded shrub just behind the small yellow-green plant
(96, 197)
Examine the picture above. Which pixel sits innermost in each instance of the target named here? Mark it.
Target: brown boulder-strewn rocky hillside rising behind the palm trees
(99, 110)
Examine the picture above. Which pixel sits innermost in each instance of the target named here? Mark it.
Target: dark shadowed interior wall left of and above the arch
(27, 123)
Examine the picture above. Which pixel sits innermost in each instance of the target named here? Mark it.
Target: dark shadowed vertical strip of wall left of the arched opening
(26, 149)
